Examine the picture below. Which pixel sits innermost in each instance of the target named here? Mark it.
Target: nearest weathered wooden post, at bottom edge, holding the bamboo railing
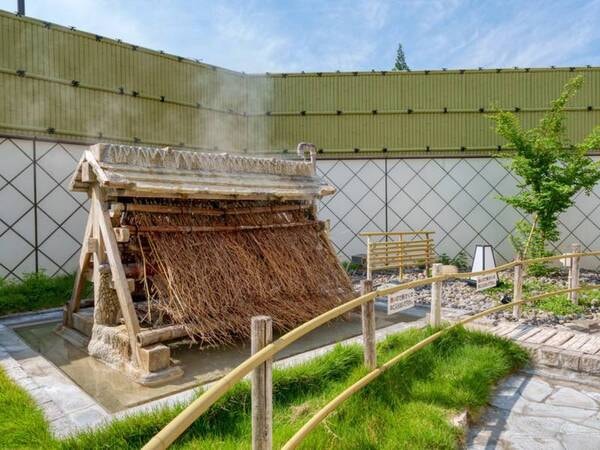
(262, 386)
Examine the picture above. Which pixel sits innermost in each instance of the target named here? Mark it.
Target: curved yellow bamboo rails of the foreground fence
(164, 438)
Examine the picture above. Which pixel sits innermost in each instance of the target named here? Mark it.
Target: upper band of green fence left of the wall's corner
(67, 55)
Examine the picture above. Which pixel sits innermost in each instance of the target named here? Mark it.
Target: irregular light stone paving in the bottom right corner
(544, 409)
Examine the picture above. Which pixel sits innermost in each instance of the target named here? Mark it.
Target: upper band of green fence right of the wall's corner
(418, 91)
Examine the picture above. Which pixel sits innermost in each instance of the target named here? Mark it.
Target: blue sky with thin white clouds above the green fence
(310, 35)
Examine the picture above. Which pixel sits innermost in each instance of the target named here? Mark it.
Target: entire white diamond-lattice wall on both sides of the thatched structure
(455, 197)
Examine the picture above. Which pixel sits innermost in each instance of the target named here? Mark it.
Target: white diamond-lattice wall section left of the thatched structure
(41, 221)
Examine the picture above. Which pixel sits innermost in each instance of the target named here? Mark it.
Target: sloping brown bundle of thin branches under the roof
(212, 265)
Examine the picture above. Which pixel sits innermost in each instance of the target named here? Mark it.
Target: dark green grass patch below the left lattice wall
(36, 291)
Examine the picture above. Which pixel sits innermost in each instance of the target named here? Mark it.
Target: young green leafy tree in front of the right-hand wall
(552, 171)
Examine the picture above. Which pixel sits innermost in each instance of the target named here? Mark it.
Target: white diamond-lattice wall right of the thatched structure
(455, 197)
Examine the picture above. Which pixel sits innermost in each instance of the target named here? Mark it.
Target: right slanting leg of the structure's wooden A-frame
(102, 217)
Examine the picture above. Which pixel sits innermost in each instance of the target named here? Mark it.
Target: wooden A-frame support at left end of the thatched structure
(99, 240)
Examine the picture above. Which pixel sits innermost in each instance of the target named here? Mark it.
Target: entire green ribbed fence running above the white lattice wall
(58, 55)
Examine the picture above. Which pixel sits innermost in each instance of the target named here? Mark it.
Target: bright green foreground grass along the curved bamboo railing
(407, 407)
